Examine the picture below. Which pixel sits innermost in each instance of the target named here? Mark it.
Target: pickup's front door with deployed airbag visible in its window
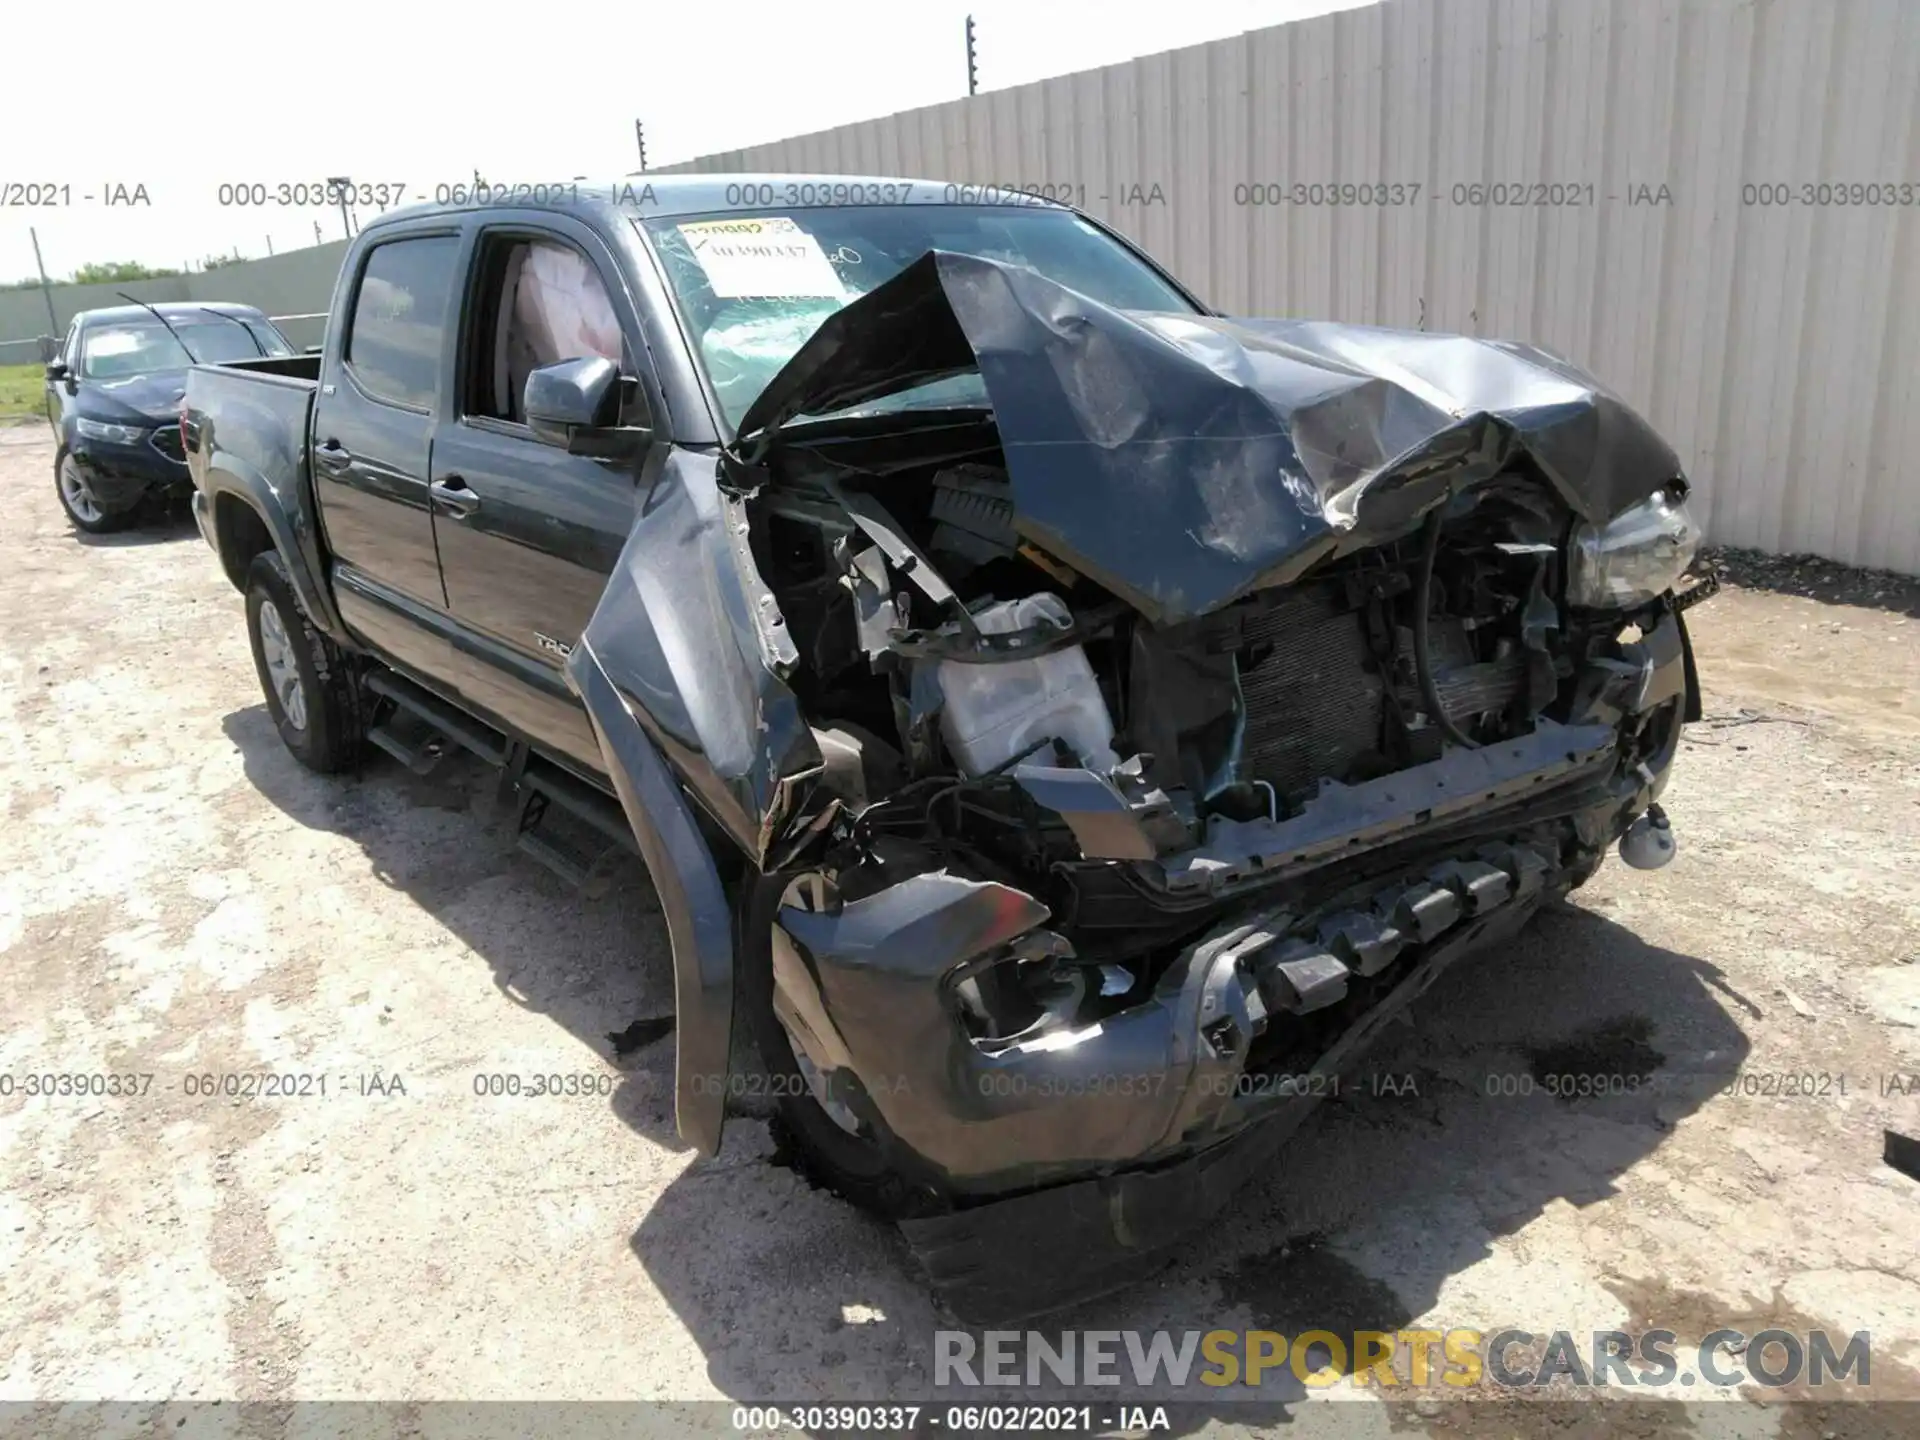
(529, 533)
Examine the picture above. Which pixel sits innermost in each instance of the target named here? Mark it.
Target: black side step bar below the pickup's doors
(550, 802)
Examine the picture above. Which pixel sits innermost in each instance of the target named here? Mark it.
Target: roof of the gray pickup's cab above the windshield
(654, 195)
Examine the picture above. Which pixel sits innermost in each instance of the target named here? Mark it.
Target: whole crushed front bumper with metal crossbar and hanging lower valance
(1132, 1128)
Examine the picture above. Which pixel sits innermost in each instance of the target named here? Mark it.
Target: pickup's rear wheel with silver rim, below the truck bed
(329, 725)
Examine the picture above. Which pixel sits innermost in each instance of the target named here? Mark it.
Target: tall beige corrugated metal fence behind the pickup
(1712, 204)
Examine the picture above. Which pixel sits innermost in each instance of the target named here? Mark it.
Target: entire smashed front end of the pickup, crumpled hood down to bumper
(1174, 723)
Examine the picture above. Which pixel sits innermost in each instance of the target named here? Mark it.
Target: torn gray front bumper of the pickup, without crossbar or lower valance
(1230, 1034)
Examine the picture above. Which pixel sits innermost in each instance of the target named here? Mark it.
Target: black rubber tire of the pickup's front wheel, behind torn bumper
(859, 1168)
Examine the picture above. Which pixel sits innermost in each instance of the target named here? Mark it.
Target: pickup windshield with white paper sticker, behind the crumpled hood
(752, 287)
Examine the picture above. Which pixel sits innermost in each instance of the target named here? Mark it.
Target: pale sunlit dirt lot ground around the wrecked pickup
(180, 900)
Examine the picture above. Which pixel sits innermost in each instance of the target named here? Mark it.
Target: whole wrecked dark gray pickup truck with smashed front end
(1061, 721)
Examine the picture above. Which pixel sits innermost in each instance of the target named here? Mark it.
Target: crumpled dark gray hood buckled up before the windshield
(1189, 460)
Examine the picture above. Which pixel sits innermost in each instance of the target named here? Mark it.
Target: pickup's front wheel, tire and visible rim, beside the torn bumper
(834, 1130)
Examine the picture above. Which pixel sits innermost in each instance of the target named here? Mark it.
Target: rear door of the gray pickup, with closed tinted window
(373, 433)
